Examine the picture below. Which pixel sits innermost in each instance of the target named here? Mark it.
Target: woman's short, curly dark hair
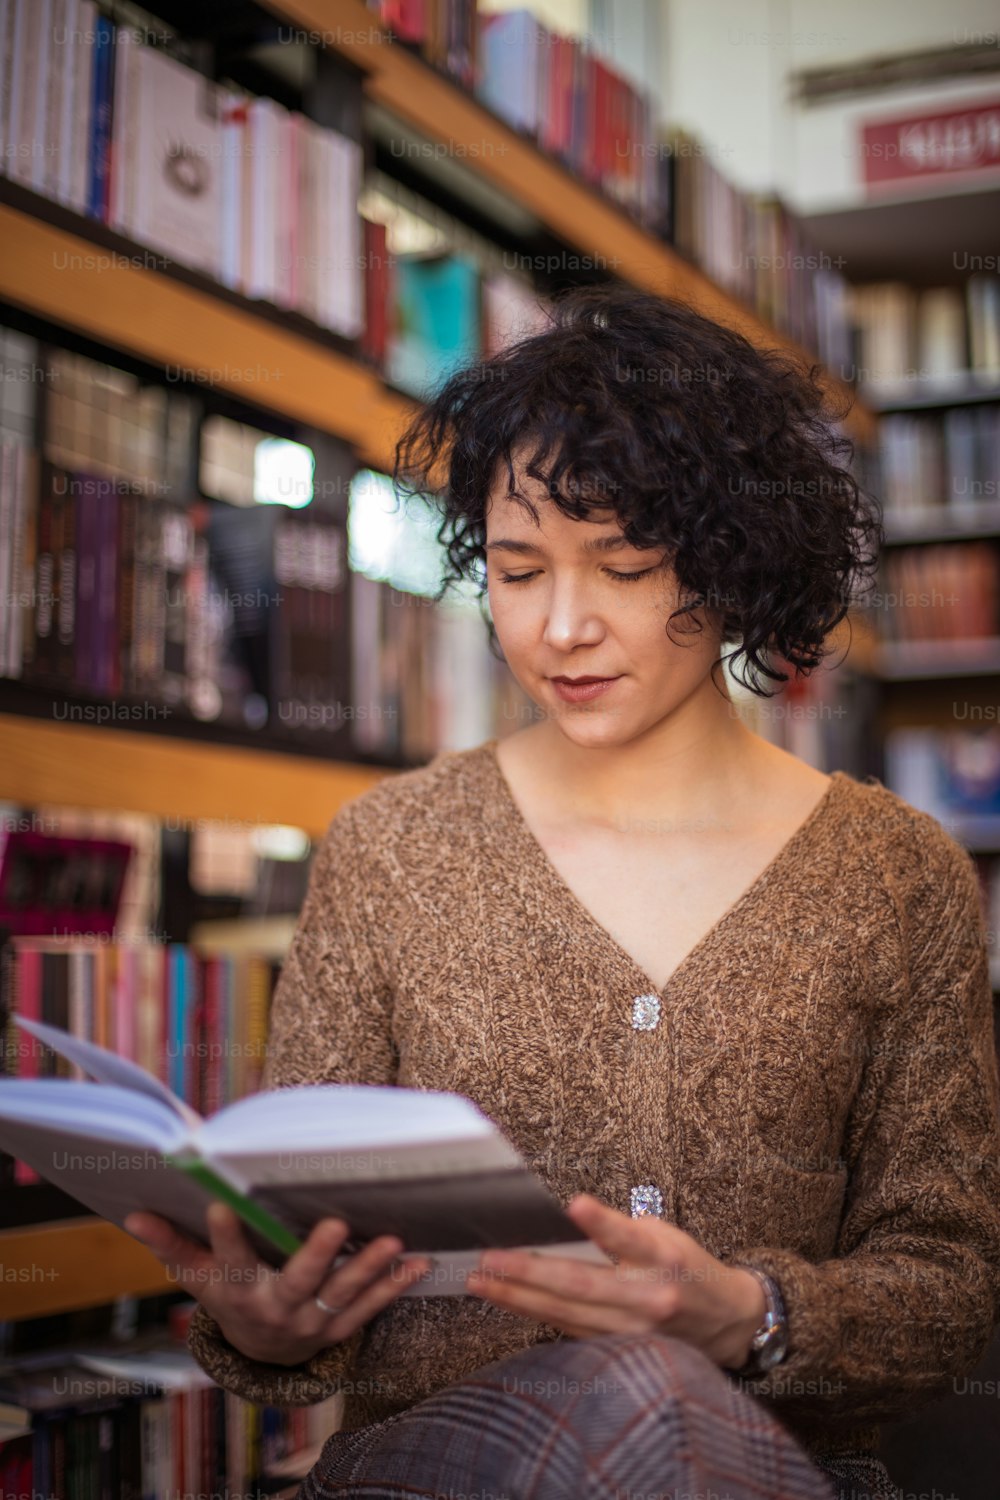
(720, 452)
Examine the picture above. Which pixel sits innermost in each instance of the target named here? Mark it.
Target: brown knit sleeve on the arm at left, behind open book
(331, 1022)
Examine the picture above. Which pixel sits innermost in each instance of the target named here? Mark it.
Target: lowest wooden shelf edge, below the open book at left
(79, 1264)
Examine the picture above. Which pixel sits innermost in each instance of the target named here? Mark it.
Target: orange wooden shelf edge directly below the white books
(65, 278)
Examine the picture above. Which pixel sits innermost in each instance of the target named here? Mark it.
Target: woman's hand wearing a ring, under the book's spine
(272, 1315)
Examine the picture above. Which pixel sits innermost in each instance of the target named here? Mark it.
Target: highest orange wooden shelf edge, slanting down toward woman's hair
(445, 113)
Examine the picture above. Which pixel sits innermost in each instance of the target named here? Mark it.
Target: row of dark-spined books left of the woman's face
(244, 617)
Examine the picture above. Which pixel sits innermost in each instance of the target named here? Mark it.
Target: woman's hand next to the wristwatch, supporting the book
(663, 1282)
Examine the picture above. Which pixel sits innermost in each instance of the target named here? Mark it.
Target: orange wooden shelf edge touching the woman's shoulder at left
(83, 766)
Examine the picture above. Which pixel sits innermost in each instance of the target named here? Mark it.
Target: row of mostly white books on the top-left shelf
(254, 196)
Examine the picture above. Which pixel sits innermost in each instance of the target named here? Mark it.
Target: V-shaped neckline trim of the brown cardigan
(519, 827)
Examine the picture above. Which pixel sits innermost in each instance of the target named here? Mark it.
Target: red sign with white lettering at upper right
(927, 148)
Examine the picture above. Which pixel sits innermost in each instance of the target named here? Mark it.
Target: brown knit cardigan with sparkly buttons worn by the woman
(818, 1099)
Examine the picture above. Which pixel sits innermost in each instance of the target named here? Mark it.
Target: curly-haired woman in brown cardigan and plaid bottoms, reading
(734, 1012)
